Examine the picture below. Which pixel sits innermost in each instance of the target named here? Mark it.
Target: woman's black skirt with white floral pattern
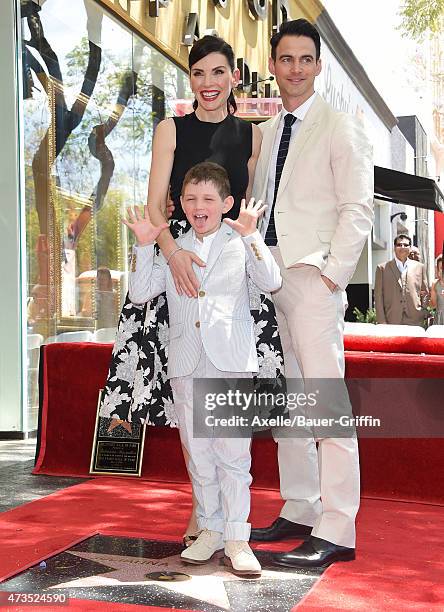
(137, 388)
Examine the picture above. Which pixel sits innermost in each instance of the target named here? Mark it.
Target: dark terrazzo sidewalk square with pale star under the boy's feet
(123, 578)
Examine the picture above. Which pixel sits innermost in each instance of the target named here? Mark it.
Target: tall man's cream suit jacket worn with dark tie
(324, 206)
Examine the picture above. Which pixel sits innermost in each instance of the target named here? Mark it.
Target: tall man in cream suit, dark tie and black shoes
(315, 172)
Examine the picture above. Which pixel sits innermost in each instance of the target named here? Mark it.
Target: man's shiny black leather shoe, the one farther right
(314, 553)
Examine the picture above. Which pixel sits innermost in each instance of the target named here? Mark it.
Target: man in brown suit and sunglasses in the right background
(400, 287)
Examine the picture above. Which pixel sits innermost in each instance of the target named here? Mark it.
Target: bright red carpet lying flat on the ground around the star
(399, 565)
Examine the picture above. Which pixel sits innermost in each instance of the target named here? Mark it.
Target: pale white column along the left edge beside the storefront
(12, 388)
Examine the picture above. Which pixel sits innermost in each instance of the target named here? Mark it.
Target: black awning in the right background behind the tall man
(403, 188)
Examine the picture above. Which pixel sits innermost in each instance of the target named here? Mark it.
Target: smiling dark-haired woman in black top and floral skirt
(137, 388)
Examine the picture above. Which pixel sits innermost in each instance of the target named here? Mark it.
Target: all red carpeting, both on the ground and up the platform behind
(399, 565)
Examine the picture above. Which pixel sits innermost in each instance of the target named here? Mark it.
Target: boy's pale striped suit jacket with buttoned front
(219, 318)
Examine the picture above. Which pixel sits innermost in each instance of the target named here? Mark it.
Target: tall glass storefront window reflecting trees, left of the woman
(93, 93)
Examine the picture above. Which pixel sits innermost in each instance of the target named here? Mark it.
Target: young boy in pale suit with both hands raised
(210, 337)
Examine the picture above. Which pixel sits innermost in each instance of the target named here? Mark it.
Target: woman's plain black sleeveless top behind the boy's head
(228, 143)
